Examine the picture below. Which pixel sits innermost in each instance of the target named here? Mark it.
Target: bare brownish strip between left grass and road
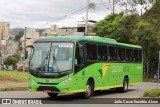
(13, 86)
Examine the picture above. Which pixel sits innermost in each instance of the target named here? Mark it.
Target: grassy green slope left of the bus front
(14, 76)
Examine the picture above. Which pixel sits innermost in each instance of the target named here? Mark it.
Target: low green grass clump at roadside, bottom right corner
(152, 93)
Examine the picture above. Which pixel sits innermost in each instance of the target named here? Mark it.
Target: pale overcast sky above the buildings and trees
(44, 13)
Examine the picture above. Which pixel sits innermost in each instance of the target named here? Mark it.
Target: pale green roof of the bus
(95, 39)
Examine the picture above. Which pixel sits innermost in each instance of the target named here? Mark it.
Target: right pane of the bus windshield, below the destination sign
(61, 57)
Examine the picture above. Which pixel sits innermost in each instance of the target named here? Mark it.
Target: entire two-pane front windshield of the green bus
(52, 57)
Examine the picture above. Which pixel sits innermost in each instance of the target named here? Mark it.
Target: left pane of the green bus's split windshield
(40, 56)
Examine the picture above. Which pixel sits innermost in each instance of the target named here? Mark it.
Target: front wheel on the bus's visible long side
(89, 90)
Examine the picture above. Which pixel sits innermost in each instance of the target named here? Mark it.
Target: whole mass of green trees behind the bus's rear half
(135, 29)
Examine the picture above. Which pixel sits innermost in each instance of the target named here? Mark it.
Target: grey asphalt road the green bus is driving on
(133, 92)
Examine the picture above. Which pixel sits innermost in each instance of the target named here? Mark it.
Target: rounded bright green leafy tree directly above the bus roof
(117, 26)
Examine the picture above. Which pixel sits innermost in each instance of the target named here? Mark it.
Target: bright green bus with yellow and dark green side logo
(83, 64)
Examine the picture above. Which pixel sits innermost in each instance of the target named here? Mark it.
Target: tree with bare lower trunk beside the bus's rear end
(146, 37)
